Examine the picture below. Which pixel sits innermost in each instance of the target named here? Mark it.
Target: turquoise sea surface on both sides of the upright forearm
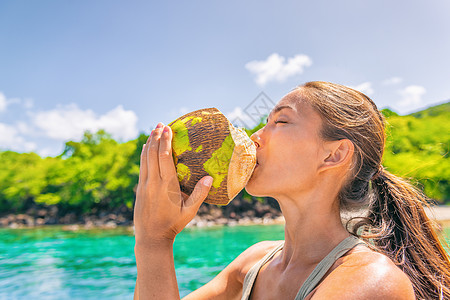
(53, 263)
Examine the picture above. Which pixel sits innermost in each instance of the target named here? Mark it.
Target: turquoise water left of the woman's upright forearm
(51, 263)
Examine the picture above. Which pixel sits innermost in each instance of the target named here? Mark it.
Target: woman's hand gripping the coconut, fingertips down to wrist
(161, 210)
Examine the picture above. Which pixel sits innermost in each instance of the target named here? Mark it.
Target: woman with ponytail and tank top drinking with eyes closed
(320, 153)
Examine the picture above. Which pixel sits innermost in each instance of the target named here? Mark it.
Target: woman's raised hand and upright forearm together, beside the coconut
(161, 212)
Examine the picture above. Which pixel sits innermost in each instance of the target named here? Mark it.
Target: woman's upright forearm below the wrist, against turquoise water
(156, 271)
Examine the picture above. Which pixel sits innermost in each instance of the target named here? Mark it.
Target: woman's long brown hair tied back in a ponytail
(397, 224)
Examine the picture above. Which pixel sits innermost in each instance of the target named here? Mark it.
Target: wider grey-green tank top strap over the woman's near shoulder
(325, 264)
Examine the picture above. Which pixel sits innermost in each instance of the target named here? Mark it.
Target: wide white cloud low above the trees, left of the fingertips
(69, 122)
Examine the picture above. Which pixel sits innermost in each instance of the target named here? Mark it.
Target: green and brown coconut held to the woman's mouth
(206, 143)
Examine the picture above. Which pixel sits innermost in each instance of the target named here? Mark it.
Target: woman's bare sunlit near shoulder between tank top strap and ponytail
(365, 274)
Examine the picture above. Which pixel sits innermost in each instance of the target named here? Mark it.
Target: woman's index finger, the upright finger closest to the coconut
(166, 164)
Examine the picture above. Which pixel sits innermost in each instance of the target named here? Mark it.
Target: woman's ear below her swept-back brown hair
(337, 153)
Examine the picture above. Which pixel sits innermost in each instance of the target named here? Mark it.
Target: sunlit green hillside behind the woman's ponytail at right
(418, 148)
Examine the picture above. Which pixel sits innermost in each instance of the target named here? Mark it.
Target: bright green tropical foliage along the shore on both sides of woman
(99, 173)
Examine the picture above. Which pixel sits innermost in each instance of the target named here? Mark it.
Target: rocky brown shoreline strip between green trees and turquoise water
(439, 214)
